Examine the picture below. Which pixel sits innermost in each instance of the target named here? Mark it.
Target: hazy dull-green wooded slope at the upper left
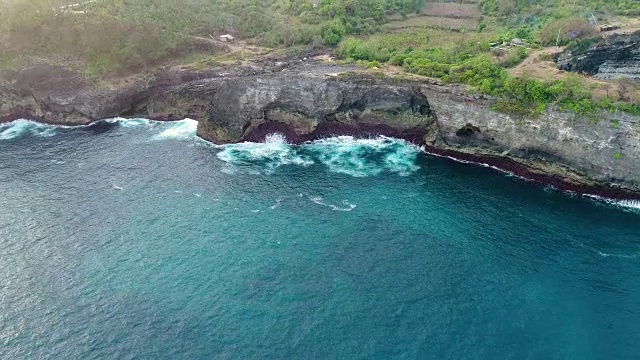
(117, 36)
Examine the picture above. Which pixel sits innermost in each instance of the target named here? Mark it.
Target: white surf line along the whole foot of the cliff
(343, 154)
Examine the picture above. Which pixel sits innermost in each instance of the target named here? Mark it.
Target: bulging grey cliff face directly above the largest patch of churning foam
(302, 106)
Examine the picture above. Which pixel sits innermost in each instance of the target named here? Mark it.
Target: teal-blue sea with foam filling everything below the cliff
(133, 239)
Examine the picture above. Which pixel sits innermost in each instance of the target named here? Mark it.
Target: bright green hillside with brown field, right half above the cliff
(470, 43)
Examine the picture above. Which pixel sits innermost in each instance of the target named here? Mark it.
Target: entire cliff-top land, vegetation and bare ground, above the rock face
(503, 49)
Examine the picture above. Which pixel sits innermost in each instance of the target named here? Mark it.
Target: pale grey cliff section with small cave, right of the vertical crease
(577, 150)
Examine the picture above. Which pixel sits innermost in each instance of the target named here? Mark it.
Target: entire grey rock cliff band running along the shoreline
(309, 101)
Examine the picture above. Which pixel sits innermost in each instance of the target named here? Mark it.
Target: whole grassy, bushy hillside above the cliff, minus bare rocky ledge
(457, 41)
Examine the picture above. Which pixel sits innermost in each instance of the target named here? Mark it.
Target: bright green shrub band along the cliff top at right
(466, 59)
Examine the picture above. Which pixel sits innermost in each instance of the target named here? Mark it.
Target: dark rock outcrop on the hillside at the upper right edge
(615, 56)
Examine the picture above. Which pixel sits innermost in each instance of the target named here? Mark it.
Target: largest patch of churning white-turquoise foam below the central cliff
(343, 154)
